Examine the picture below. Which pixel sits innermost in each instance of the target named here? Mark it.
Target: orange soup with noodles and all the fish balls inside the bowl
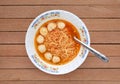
(54, 42)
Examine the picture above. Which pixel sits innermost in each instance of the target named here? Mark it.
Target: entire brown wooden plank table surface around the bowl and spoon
(102, 17)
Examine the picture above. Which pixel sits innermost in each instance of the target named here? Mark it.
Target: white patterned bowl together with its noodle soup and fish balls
(50, 44)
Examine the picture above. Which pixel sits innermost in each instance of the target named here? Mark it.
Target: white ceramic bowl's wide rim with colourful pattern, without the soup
(37, 61)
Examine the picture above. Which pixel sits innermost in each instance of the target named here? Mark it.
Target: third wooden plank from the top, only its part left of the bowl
(14, 24)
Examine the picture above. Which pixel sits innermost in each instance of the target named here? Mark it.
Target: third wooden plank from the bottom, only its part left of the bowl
(15, 62)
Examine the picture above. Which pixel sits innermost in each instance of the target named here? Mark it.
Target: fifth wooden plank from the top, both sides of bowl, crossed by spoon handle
(20, 51)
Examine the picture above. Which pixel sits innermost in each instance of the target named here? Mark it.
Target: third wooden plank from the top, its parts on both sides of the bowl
(92, 24)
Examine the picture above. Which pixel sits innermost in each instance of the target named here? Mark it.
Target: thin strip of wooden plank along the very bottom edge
(60, 82)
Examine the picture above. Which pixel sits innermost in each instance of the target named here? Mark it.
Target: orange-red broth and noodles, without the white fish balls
(59, 42)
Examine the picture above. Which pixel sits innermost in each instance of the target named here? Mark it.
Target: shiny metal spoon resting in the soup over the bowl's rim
(95, 52)
